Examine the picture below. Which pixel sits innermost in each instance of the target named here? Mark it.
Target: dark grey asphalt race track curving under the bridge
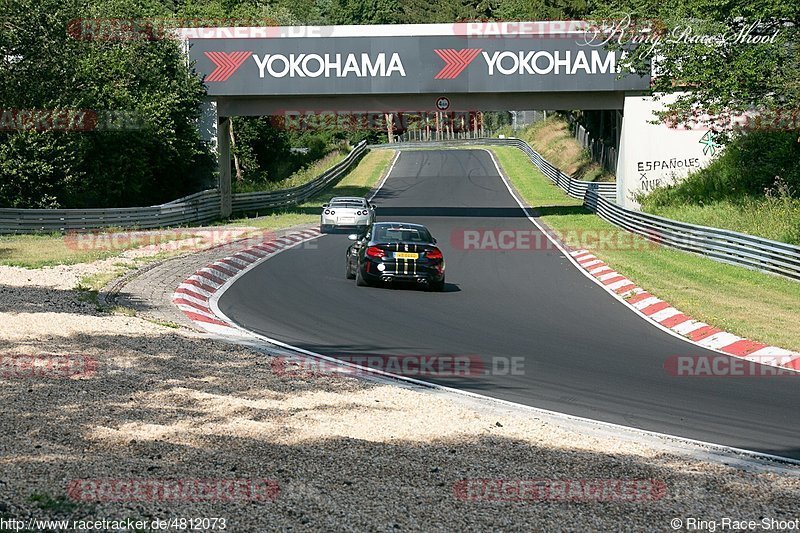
(584, 352)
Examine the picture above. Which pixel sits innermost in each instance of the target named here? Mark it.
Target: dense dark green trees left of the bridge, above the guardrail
(156, 155)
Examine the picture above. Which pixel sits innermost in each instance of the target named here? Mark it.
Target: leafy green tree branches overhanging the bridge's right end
(703, 49)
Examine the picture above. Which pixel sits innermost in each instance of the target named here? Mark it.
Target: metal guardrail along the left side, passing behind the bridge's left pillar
(196, 208)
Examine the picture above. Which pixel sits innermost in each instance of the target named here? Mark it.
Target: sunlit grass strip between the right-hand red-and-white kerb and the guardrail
(753, 305)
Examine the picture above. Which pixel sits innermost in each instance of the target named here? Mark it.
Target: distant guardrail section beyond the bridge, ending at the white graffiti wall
(575, 188)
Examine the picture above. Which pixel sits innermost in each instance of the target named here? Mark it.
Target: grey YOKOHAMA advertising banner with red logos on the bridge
(406, 64)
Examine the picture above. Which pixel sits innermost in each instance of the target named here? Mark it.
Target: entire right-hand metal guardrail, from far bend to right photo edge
(721, 245)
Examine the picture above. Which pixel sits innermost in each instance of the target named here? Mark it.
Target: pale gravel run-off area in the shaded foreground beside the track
(160, 407)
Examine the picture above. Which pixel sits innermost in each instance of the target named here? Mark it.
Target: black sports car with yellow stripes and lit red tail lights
(395, 251)
